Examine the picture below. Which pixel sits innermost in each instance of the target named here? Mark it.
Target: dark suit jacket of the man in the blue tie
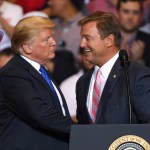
(29, 119)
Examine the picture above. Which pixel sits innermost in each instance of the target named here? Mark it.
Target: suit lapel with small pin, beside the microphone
(109, 86)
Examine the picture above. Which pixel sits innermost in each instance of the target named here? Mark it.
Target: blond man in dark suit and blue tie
(33, 111)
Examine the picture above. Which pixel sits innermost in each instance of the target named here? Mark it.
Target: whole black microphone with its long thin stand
(123, 56)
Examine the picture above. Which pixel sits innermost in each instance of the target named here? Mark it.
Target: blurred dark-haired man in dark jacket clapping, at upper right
(134, 41)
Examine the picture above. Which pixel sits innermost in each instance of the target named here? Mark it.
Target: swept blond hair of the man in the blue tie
(26, 29)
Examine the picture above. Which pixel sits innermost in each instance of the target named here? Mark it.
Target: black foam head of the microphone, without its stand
(123, 56)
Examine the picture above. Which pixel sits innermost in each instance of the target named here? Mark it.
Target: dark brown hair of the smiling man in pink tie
(107, 24)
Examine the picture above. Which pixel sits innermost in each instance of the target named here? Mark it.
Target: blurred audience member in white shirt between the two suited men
(68, 85)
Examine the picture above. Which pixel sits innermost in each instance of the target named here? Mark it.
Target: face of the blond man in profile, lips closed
(42, 47)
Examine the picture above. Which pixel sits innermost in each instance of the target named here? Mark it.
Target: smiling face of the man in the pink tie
(94, 47)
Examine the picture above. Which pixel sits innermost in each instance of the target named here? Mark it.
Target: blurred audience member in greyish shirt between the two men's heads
(67, 13)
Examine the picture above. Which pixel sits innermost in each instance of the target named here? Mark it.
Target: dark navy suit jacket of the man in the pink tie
(113, 107)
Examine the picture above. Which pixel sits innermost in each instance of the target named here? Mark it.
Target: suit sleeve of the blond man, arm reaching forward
(24, 100)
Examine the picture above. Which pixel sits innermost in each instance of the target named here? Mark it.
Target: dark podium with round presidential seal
(110, 137)
